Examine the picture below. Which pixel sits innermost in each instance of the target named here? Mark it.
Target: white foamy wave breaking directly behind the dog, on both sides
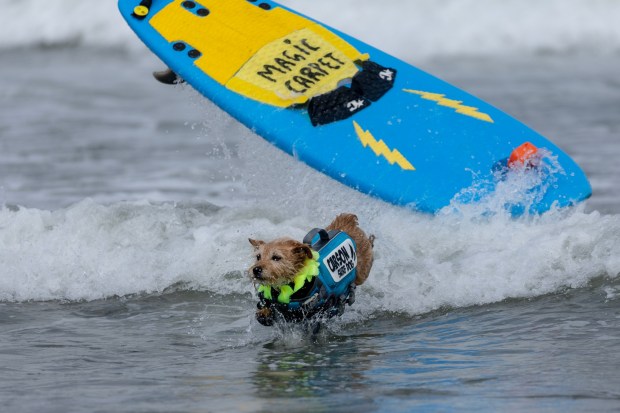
(92, 251)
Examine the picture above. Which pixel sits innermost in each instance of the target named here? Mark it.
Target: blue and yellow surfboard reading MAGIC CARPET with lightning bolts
(345, 108)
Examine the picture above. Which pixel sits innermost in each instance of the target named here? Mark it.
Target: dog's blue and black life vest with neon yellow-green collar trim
(324, 292)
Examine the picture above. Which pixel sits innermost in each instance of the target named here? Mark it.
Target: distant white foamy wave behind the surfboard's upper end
(406, 28)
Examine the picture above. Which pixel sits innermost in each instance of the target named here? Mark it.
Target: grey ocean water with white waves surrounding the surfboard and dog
(125, 209)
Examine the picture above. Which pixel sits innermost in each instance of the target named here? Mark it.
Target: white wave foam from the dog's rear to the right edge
(436, 262)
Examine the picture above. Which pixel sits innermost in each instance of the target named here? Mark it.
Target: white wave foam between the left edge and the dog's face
(91, 251)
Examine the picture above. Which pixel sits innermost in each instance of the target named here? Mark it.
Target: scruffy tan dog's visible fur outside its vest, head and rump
(279, 261)
